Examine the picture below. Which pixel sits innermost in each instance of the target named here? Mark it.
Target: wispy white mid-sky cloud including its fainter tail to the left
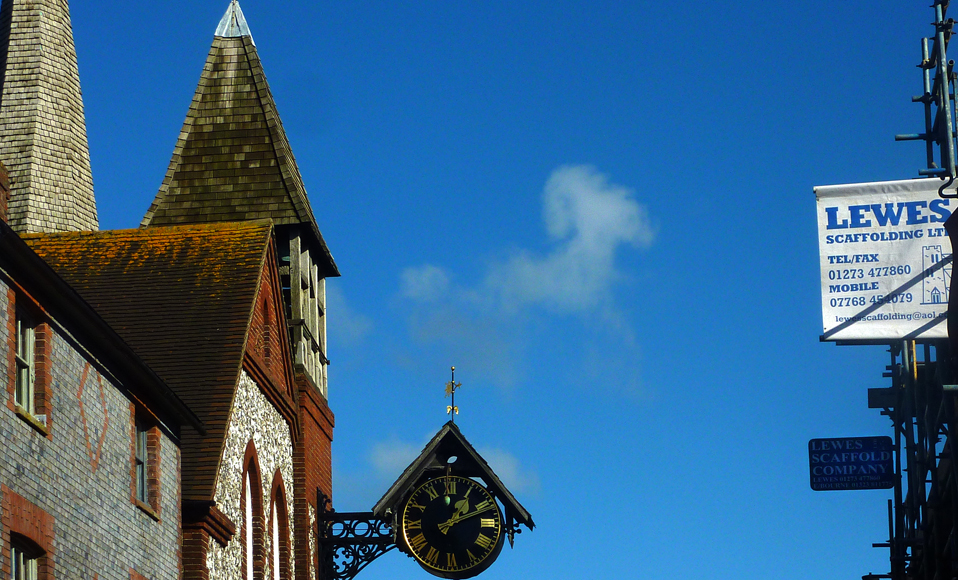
(588, 221)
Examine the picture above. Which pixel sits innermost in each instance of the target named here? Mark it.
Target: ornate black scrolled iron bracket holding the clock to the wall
(347, 542)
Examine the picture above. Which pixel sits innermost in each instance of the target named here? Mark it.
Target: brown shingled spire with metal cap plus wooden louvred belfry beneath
(233, 162)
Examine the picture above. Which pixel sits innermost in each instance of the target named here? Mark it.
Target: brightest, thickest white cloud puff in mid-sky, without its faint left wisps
(588, 219)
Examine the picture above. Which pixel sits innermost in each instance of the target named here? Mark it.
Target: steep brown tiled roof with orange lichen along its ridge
(182, 297)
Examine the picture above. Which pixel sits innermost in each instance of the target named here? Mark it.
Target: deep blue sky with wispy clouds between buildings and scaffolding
(602, 214)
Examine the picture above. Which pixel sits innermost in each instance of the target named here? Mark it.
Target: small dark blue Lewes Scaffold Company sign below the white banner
(851, 463)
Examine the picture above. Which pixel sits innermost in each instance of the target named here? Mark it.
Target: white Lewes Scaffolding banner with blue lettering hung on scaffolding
(885, 260)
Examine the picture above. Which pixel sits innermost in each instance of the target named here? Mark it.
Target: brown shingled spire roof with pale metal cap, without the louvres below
(232, 161)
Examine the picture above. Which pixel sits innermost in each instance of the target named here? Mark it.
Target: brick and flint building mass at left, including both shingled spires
(137, 445)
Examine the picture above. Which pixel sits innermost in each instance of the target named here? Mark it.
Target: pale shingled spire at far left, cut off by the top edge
(42, 129)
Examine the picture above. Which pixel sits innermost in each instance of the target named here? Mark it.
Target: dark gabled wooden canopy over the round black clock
(434, 461)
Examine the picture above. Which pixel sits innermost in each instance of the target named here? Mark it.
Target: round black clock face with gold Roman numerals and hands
(453, 527)
